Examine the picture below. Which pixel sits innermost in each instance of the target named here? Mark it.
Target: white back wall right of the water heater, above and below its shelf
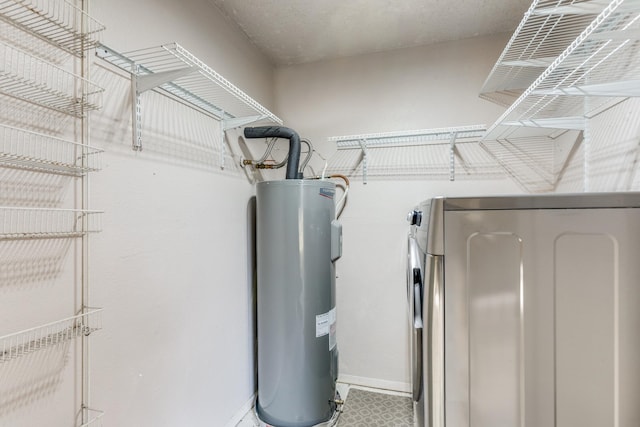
(428, 87)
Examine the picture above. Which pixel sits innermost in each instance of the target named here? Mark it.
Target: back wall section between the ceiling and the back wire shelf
(425, 87)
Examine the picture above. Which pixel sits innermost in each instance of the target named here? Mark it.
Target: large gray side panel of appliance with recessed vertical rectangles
(557, 292)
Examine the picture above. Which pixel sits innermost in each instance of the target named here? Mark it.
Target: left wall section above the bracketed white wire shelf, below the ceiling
(198, 27)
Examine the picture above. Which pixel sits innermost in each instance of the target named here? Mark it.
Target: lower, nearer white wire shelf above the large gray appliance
(599, 68)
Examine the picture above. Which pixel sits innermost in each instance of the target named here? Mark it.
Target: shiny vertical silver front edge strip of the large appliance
(434, 348)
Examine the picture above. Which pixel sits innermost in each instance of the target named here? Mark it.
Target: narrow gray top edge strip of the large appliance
(547, 201)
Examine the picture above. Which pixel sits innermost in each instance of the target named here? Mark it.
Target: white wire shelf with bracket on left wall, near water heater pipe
(176, 71)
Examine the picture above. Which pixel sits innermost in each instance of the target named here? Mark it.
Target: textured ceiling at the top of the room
(298, 31)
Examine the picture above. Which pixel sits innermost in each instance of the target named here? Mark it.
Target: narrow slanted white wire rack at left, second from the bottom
(28, 341)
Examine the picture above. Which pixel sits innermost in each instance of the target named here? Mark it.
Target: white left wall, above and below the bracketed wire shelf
(172, 264)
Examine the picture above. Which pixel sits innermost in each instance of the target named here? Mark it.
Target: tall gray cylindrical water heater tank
(296, 294)
